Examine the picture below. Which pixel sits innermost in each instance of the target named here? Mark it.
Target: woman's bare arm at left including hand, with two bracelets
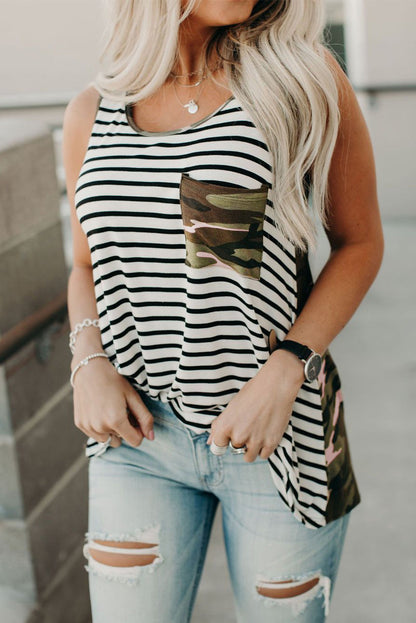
(101, 394)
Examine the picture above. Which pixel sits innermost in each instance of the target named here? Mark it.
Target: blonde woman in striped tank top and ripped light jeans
(215, 133)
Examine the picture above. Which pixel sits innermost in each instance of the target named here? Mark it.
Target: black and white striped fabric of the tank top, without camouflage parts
(193, 337)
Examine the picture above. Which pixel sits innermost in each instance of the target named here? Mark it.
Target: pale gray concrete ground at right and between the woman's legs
(376, 357)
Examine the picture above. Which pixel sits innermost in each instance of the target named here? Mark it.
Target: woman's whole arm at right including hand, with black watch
(356, 239)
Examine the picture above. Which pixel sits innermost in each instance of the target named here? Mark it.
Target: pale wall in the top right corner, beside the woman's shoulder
(381, 50)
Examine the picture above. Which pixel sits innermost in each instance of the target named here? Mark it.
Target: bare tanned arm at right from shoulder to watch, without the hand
(354, 230)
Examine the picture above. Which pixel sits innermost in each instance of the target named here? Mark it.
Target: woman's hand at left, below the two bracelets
(102, 401)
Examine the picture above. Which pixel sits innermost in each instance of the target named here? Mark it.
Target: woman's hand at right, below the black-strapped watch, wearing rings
(259, 413)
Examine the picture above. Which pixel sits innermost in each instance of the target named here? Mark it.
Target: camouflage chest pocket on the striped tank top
(223, 225)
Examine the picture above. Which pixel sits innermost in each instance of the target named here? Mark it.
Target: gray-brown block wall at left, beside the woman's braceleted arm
(43, 484)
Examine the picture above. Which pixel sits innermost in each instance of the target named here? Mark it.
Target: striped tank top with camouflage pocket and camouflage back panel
(192, 276)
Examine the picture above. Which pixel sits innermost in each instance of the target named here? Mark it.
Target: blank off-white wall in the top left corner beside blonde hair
(48, 48)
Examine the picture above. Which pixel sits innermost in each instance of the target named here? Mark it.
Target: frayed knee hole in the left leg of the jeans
(122, 557)
